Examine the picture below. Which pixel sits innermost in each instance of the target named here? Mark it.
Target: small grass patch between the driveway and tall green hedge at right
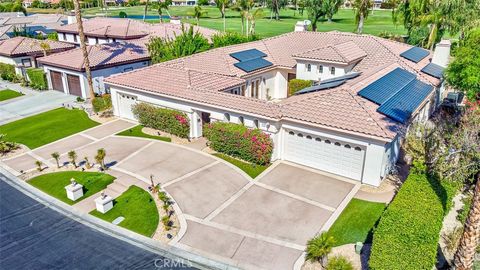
(356, 222)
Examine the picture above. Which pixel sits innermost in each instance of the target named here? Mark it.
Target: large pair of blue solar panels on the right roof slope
(398, 93)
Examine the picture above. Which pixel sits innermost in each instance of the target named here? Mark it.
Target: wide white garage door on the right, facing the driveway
(326, 154)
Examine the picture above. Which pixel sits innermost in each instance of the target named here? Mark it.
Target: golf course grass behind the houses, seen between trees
(344, 20)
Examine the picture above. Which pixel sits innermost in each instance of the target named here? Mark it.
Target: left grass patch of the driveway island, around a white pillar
(54, 183)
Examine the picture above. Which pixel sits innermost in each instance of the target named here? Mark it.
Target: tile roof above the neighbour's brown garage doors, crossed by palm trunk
(100, 56)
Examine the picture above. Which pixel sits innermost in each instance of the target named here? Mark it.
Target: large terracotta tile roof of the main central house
(339, 108)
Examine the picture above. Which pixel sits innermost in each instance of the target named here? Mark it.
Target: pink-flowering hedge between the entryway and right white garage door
(236, 140)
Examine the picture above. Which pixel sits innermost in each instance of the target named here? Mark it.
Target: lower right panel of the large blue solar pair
(401, 106)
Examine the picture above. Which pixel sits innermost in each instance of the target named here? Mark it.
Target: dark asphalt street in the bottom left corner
(33, 236)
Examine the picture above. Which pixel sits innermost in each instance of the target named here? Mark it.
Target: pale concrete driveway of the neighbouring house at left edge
(33, 102)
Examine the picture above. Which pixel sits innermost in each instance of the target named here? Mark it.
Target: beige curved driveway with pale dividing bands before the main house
(256, 224)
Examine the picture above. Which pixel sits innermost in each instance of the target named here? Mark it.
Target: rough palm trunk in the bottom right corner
(464, 256)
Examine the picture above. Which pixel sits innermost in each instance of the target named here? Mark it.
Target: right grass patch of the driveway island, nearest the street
(137, 207)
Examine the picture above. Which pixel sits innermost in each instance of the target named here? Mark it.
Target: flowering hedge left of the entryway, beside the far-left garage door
(171, 121)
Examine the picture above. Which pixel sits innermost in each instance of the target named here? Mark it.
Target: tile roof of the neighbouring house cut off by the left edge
(21, 46)
